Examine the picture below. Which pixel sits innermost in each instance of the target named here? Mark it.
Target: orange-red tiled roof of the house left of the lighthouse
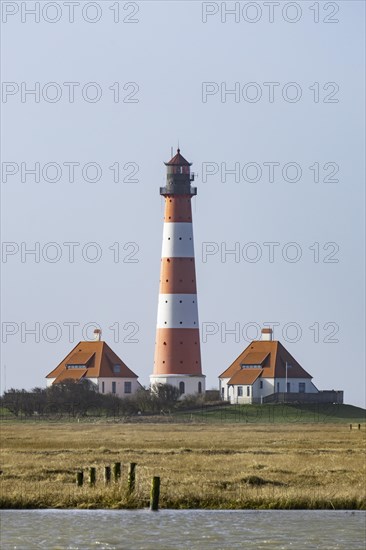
(99, 359)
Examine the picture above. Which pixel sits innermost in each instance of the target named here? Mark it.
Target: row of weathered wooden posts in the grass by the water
(131, 480)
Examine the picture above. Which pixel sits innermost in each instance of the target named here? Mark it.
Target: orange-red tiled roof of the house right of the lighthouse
(274, 364)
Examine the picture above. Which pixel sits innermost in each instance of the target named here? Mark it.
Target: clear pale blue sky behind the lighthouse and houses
(117, 84)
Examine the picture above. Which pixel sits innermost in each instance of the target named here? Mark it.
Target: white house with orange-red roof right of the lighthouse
(263, 369)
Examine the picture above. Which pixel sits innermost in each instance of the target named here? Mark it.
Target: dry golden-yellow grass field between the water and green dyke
(202, 465)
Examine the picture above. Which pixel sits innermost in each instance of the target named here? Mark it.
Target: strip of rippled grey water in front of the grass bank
(178, 529)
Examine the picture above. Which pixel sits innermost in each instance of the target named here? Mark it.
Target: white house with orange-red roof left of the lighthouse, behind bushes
(97, 362)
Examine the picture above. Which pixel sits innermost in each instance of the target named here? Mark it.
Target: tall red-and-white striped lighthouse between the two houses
(177, 348)
